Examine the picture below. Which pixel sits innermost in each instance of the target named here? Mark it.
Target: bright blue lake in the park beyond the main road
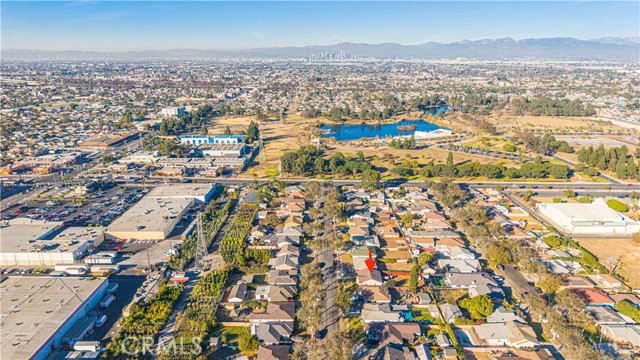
(360, 131)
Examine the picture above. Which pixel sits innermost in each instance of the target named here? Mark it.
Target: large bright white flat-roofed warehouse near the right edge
(588, 219)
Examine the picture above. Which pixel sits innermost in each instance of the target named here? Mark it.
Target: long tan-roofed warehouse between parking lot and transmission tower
(157, 214)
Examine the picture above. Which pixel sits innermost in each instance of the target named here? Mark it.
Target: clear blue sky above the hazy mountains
(159, 25)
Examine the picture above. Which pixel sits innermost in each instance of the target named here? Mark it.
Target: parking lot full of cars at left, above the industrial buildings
(99, 208)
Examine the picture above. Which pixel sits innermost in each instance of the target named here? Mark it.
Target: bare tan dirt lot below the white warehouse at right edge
(624, 249)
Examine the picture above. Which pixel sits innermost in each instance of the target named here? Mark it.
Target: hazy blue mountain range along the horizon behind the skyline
(627, 49)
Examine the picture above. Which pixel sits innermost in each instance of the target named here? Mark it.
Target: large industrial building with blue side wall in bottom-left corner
(40, 313)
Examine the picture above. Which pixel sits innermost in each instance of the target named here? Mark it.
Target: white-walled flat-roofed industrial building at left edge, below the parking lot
(27, 242)
